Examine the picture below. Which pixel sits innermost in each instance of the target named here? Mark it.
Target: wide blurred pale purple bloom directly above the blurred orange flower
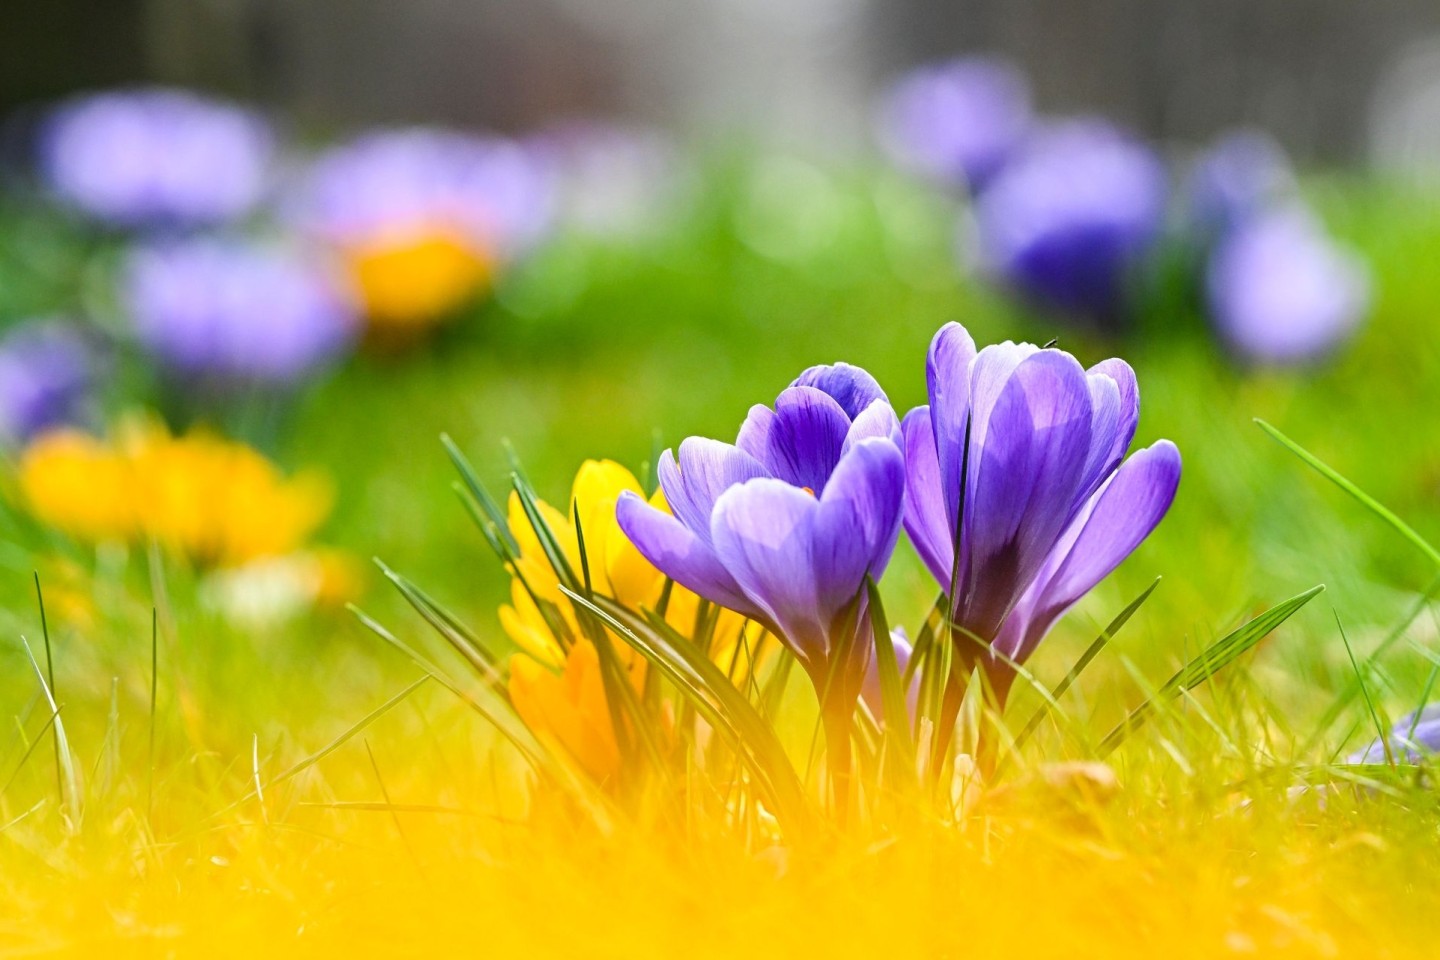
(405, 184)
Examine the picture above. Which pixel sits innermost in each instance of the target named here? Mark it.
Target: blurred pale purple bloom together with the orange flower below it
(424, 218)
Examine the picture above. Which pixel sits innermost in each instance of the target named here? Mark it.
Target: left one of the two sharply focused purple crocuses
(786, 525)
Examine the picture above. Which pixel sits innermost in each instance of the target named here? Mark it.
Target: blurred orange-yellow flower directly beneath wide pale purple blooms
(411, 281)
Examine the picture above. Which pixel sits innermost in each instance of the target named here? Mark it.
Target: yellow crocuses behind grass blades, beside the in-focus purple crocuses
(555, 683)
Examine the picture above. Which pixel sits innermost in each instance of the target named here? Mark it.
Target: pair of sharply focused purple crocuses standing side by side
(1013, 484)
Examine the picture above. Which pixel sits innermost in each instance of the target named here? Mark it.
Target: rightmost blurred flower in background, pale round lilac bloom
(1281, 291)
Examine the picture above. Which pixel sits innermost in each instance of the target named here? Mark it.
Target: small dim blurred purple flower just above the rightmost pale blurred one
(1241, 178)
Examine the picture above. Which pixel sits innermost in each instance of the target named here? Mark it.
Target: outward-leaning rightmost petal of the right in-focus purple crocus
(1110, 529)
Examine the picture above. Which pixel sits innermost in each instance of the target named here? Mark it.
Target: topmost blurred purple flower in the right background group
(957, 122)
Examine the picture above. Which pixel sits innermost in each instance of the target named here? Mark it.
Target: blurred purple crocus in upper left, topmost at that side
(158, 158)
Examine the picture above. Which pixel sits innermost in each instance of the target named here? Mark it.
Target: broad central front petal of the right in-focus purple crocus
(1026, 487)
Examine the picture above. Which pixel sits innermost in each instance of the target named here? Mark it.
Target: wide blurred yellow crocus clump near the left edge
(211, 500)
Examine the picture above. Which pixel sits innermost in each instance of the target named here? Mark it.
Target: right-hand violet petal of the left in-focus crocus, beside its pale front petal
(859, 522)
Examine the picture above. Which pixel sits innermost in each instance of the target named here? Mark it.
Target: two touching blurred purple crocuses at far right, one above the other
(1278, 289)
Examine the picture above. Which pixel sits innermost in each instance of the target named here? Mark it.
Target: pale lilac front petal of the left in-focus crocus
(764, 533)
